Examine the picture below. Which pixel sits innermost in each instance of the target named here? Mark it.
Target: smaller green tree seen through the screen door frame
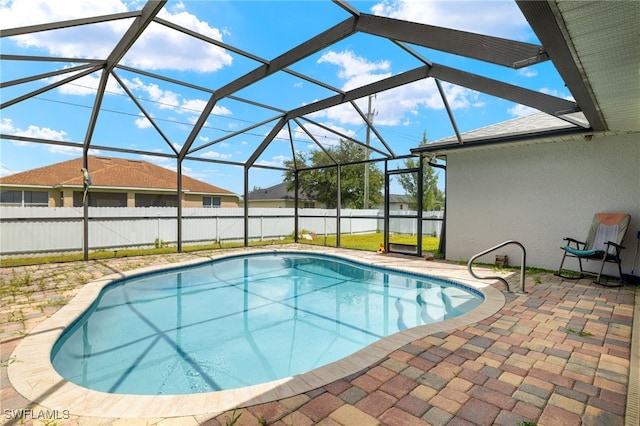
(432, 196)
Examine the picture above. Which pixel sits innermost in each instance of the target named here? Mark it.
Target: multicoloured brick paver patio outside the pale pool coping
(559, 355)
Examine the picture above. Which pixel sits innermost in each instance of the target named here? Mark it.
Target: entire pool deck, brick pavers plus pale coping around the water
(564, 353)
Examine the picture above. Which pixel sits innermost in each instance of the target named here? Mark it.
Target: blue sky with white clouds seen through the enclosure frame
(265, 29)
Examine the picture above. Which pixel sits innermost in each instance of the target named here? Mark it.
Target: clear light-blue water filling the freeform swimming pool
(244, 320)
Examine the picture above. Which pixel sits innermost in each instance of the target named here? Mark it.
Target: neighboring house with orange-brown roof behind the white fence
(116, 182)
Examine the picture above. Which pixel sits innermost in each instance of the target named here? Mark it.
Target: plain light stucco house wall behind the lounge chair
(538, 194)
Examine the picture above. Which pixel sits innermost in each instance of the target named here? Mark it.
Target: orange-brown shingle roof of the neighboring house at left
(110, 172)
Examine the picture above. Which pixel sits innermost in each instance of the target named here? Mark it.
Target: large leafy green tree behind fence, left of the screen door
(320, 184)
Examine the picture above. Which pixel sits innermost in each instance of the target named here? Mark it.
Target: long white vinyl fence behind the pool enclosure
(26, 230)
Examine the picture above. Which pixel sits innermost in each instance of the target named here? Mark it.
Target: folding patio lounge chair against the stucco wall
(603, 244)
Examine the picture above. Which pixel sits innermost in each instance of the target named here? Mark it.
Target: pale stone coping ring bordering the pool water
(34, 377)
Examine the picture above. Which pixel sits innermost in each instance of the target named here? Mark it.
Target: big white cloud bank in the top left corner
(97, 40)
